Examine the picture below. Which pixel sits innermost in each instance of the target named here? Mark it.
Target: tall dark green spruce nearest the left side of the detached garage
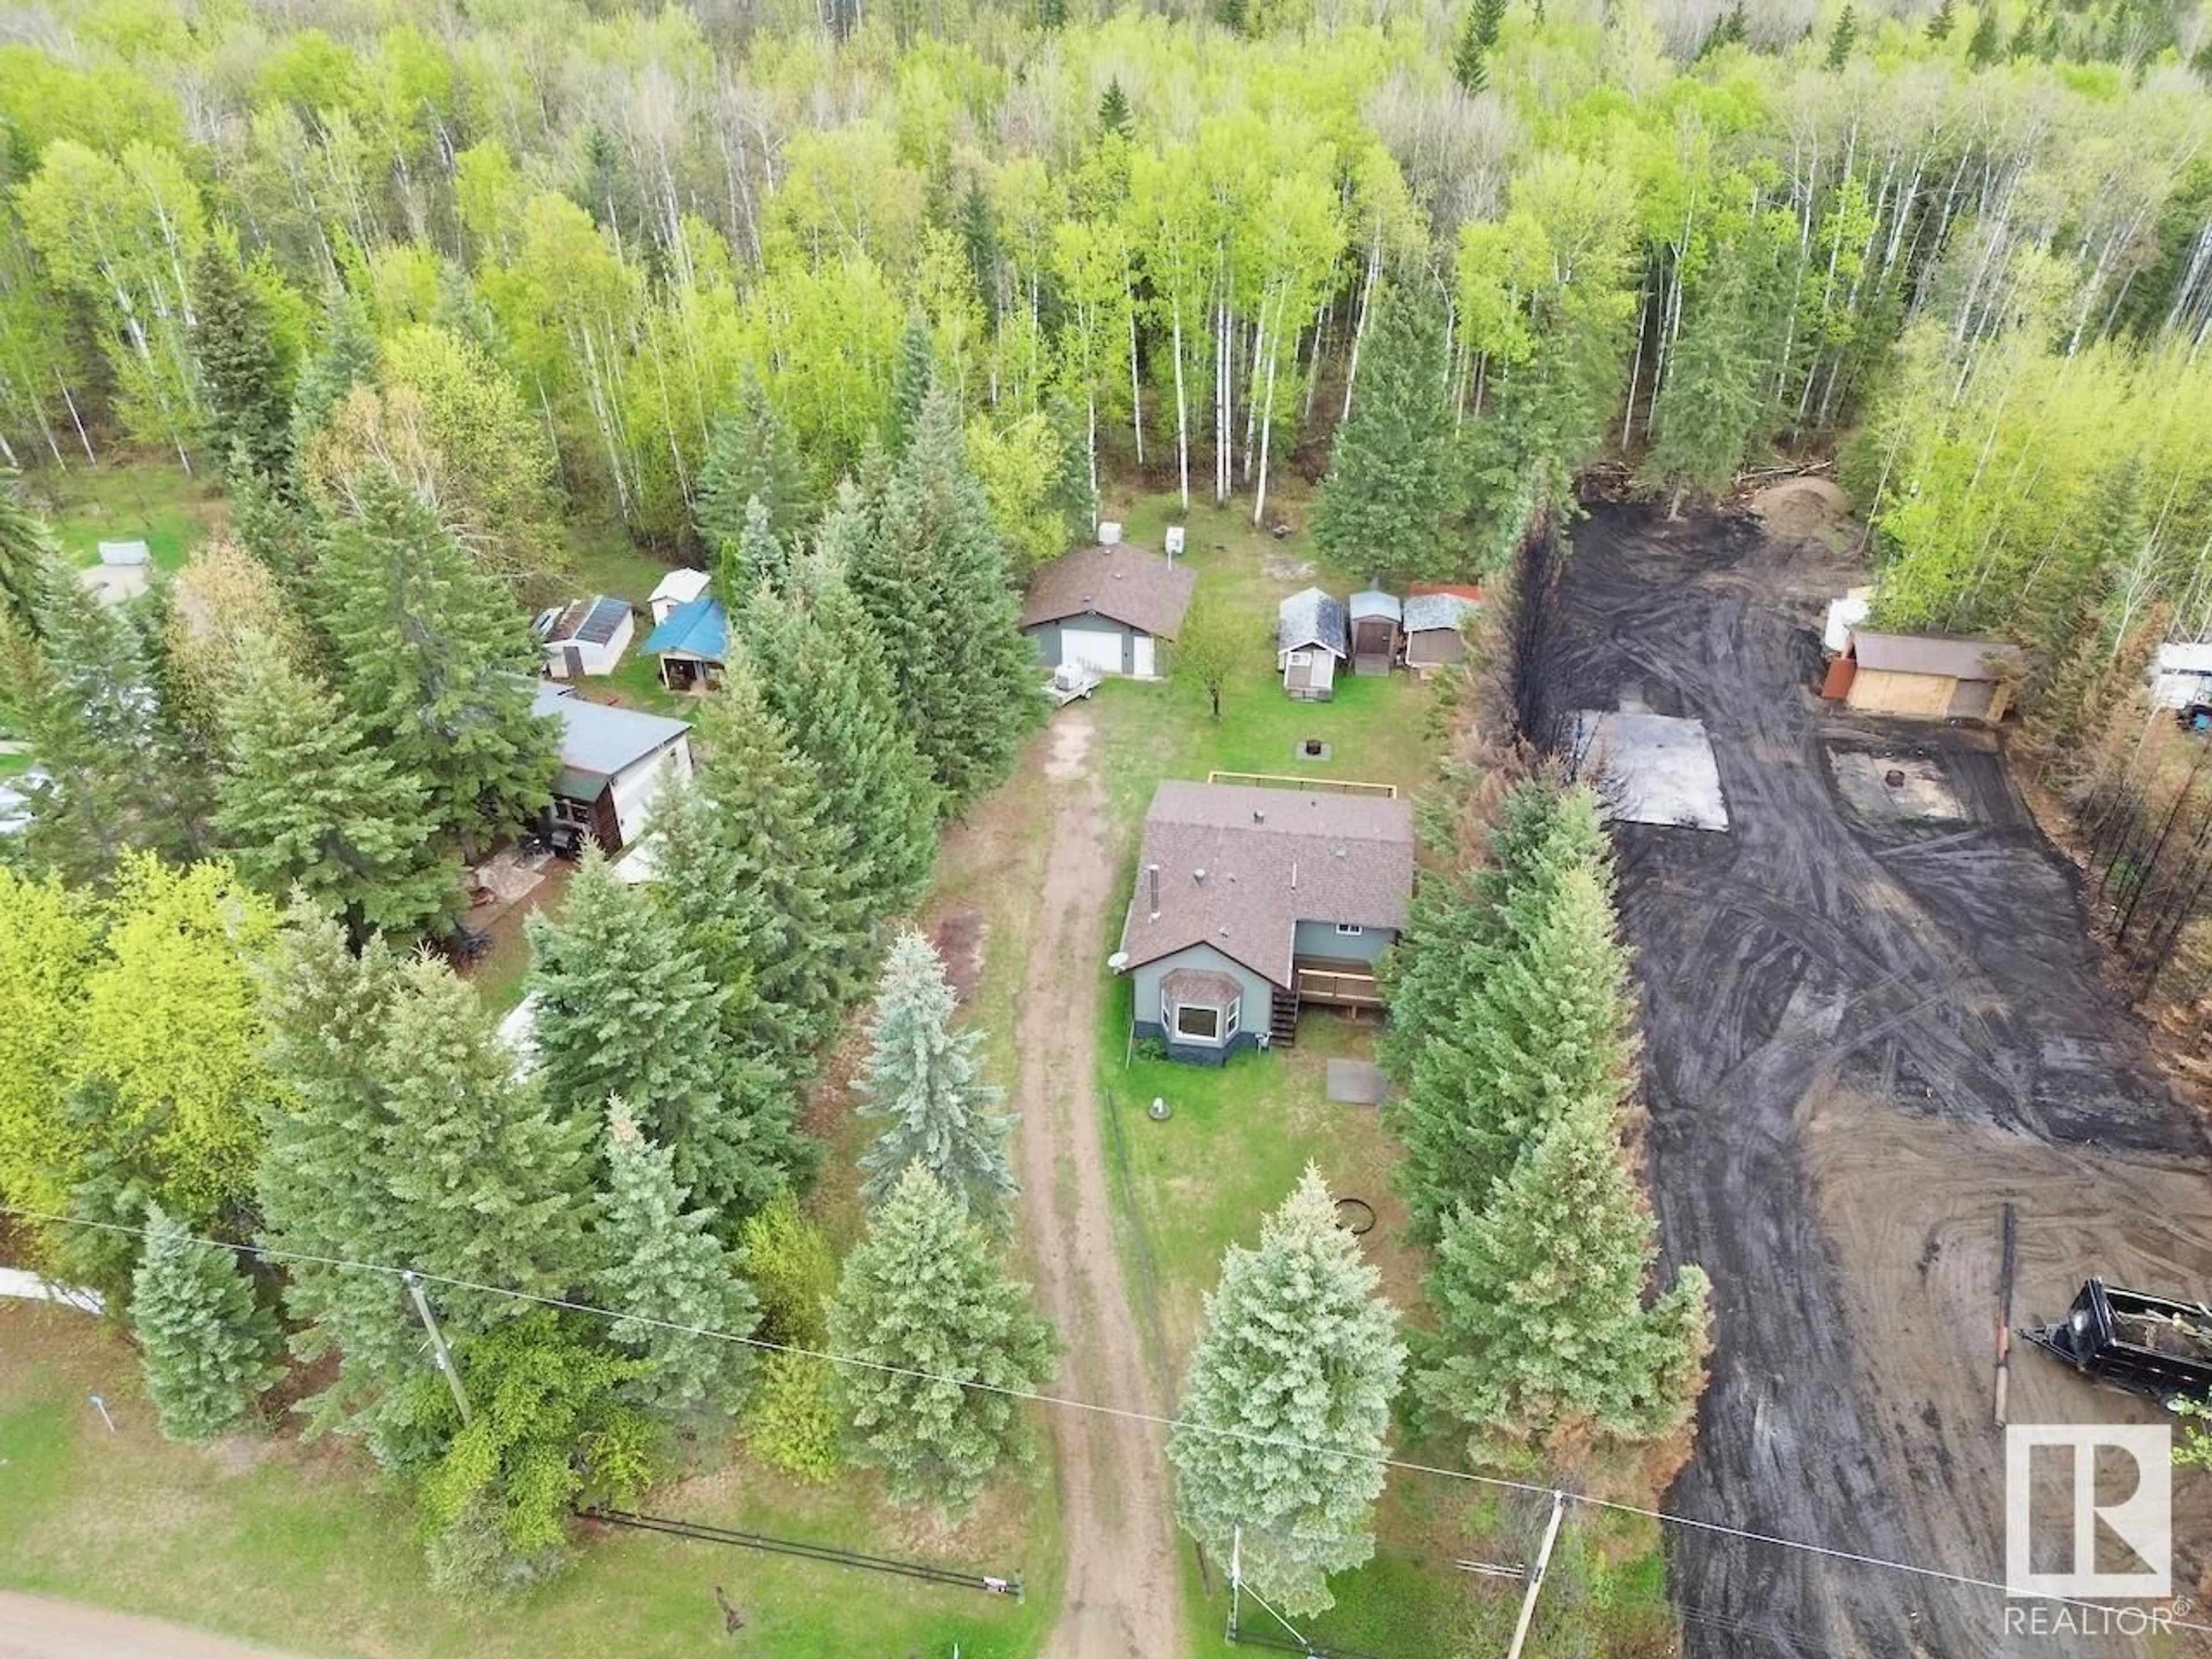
(935, 583)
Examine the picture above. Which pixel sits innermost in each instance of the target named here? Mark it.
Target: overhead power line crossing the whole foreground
(1125, 1415)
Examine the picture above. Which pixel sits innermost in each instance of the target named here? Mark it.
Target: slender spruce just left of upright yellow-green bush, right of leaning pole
(665, 1271)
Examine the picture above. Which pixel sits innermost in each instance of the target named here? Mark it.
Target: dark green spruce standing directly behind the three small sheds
(1395, 483)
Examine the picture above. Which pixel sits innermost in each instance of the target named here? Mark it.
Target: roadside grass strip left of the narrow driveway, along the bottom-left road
(311, 1550)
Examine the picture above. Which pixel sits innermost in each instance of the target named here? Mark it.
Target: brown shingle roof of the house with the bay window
(1271, 859)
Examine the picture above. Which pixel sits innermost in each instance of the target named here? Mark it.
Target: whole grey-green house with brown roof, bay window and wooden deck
(1253, 904)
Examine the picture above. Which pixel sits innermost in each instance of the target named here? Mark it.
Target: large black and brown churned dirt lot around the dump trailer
(1872, 1019)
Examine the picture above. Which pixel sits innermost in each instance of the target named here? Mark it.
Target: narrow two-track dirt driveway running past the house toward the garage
(1123, 1596)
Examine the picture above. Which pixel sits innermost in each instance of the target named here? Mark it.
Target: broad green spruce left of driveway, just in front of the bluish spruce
(941, 1339)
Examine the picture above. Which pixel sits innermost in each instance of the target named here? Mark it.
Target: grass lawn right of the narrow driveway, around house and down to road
(1238, 1138)
